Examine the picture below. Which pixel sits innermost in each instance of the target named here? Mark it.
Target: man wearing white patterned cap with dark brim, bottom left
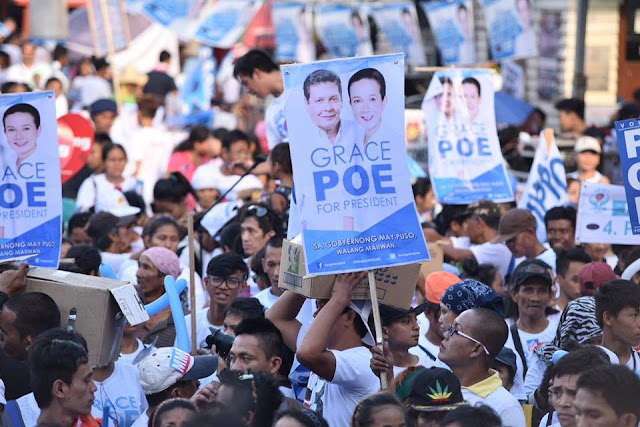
(168, 373)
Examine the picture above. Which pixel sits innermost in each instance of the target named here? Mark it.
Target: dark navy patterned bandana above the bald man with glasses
(470, 294)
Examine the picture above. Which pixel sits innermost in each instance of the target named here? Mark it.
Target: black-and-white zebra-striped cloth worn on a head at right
(577, 326)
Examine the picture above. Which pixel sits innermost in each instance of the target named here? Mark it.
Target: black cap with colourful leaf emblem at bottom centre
(430, 390)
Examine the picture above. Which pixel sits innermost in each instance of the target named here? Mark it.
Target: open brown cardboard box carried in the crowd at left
(102, 307)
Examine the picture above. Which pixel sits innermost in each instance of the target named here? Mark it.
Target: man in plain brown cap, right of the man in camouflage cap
(518, 230)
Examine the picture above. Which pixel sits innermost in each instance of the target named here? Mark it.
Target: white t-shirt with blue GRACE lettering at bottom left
(123, 393)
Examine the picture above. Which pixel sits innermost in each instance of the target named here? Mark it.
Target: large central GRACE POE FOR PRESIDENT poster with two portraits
(353, 189)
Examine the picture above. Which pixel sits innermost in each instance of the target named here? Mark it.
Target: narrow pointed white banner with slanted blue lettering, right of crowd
(547, 183)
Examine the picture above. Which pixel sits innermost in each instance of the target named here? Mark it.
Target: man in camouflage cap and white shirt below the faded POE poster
(481, 224)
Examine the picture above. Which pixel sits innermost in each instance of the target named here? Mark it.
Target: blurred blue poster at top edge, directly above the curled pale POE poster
(453, 29)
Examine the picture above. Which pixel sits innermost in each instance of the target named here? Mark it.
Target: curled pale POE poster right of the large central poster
(465, 161)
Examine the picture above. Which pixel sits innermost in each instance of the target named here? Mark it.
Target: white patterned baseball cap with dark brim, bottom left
(166, 366)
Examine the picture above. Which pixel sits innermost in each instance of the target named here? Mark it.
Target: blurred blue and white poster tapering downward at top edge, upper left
(182, 16)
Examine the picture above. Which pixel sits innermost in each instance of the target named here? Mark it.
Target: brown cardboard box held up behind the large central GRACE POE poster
(395, 285)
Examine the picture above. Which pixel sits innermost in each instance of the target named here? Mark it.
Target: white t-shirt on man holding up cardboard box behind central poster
(352, 381)
